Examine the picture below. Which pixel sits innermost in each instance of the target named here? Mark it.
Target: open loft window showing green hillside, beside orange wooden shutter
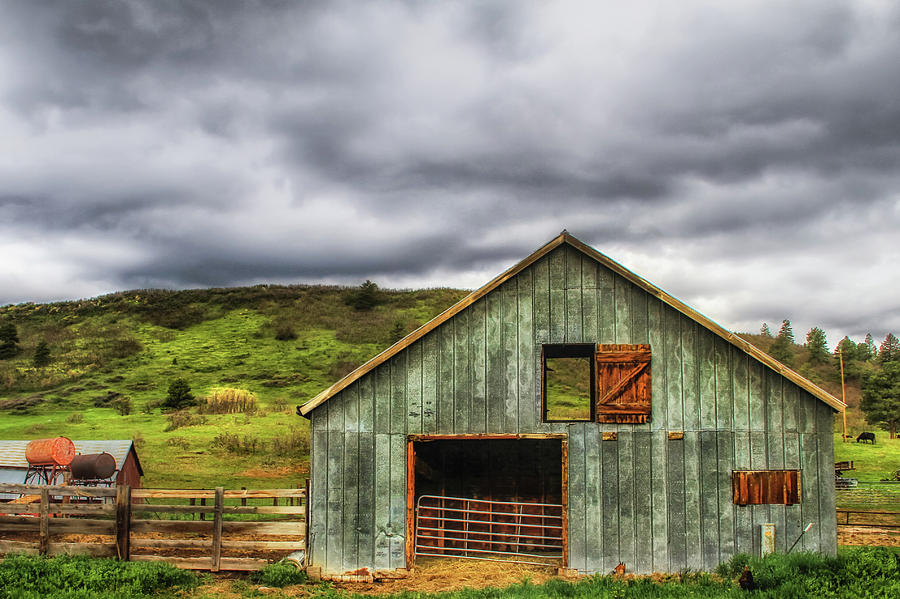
(567, 390)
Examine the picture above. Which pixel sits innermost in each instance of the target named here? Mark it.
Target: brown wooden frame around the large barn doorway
(411, 480)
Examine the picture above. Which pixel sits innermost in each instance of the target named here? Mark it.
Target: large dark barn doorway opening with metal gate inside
(498, 499)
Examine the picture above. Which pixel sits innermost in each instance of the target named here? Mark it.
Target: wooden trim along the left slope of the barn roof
(432, 324)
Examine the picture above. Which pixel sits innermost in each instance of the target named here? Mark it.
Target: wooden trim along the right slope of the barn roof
(711, 325)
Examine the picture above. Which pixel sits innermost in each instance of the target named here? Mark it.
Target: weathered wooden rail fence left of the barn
(225, 530)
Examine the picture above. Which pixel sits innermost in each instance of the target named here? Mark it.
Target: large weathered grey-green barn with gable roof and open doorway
(569, 412)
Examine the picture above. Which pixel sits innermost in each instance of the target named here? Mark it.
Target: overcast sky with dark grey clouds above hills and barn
(744, 156)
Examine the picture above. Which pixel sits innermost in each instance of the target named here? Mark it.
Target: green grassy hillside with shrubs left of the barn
(125, 349)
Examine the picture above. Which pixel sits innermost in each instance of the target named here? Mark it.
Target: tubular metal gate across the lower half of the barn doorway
(514, 531)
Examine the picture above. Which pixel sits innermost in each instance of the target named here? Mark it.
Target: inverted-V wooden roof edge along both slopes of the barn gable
(566, 238)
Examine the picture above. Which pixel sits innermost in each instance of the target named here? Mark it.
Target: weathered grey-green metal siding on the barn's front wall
(656, 504)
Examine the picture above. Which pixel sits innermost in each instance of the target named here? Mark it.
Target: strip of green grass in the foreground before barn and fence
(873, 573)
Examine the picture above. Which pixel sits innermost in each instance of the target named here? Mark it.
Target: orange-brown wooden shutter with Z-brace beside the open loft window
(623, 383)
